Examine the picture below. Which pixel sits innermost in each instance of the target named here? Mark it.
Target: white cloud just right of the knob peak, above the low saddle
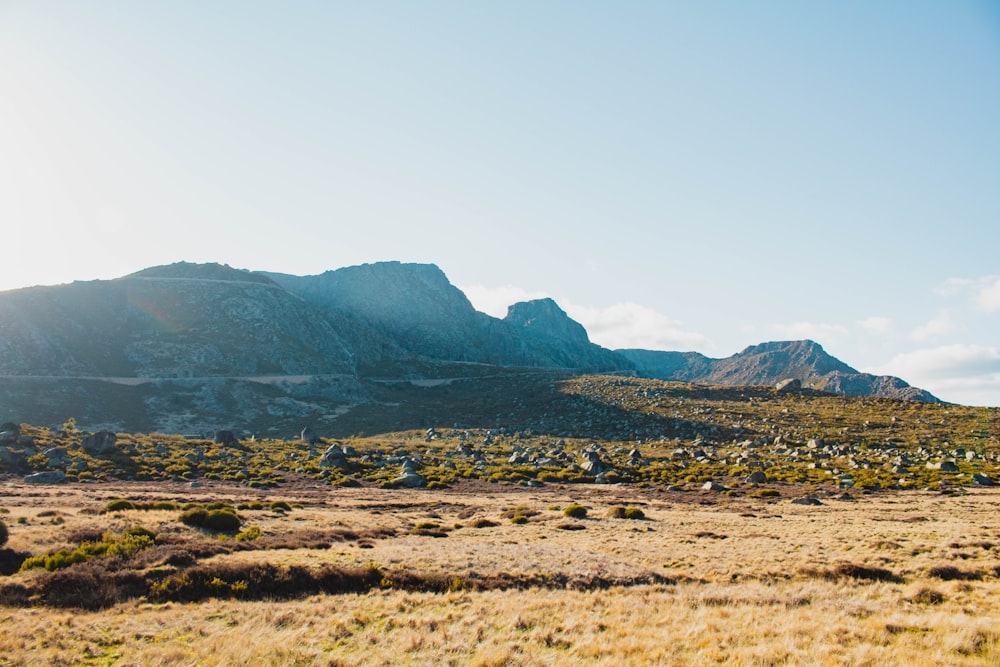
(630, 325)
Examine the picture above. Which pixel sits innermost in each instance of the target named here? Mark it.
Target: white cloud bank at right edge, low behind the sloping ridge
(968, 374)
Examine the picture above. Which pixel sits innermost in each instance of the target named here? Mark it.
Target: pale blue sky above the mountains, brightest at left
(677, 175)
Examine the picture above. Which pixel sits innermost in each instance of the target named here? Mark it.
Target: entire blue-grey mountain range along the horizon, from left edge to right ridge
(195, 346)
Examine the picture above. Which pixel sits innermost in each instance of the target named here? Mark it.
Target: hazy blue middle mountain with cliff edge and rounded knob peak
(415, 312)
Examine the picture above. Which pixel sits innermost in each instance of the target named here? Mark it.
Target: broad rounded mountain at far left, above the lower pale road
(168, 322)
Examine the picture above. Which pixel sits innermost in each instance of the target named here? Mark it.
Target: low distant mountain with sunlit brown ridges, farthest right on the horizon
(769, 363)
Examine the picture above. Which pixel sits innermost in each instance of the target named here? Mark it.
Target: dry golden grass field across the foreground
(890, 578)
